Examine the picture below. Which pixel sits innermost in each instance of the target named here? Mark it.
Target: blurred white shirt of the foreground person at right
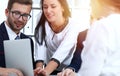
(101, 54)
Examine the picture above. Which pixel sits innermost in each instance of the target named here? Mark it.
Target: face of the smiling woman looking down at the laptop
(53, 10)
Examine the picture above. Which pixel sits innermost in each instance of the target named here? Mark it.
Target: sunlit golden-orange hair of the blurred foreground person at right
(102, 8)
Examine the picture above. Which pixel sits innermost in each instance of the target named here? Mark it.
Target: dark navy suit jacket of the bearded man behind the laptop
(4, 36)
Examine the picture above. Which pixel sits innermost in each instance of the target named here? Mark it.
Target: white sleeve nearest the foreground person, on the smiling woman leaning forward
(68, 44)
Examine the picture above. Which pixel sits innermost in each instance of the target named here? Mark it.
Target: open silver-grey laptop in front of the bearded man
(18, 55)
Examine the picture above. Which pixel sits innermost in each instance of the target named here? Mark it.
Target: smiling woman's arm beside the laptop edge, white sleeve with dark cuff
(39, 55)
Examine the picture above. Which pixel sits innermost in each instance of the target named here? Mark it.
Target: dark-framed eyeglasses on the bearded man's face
(17, 15)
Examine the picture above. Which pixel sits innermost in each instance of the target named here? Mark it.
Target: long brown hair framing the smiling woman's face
(41, 23)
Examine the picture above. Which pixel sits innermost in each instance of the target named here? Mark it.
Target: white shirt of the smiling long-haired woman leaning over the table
(61, 45)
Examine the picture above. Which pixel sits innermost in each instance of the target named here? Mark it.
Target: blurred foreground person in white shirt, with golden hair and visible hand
(101, 52)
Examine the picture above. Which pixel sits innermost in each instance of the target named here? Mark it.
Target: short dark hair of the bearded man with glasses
(11, 2)
